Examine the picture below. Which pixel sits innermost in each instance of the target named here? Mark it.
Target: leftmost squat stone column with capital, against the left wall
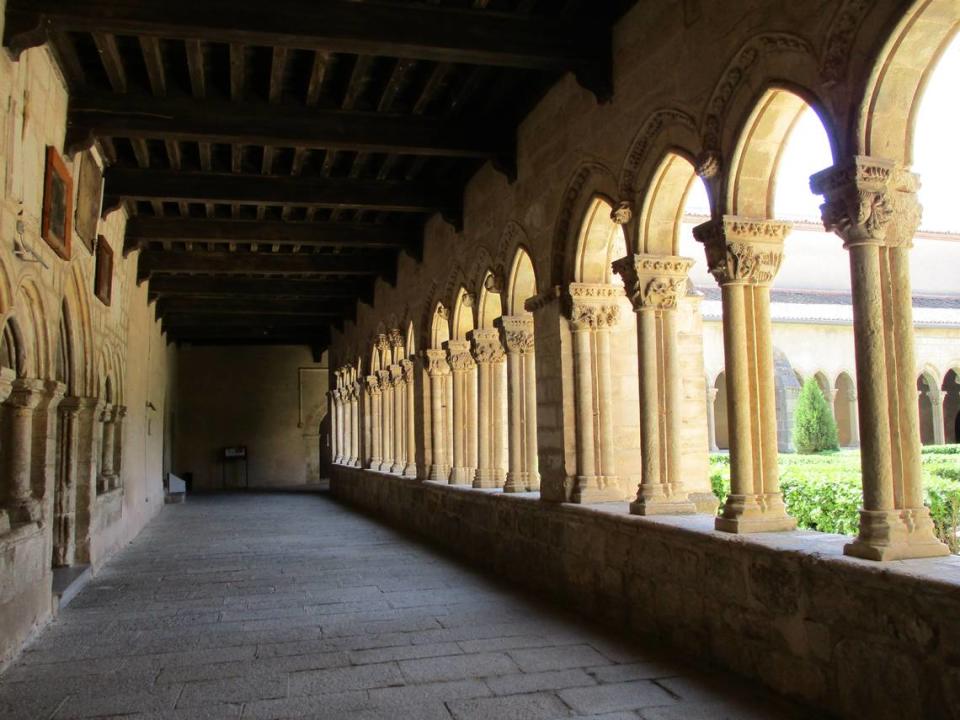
(25, 395)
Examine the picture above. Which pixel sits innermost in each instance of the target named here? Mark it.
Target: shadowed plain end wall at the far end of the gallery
(270, 399)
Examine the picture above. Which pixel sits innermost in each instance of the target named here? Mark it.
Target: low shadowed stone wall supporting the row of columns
(847, 636)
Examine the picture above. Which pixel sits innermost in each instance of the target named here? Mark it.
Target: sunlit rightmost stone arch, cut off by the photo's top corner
(887, 114)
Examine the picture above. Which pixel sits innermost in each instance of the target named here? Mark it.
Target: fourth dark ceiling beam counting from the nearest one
(144, 230)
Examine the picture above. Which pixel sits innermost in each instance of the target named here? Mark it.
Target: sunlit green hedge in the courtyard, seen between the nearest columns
(823, 491)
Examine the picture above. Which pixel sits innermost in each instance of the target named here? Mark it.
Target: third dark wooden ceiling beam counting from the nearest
(165, 185)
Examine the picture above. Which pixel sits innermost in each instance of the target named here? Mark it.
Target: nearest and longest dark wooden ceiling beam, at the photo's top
(418, 32)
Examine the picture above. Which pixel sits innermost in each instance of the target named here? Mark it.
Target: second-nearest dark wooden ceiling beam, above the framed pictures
(107, 115)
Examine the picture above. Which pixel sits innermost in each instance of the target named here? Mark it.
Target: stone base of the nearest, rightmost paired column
(896, 535)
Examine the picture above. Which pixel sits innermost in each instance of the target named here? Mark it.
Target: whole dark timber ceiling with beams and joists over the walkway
(275, 157)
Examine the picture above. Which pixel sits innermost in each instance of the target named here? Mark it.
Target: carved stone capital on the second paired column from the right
(742, 250)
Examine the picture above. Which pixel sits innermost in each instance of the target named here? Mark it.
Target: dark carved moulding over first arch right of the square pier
(590, 181)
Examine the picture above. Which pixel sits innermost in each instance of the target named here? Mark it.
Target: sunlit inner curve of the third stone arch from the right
(661, 216)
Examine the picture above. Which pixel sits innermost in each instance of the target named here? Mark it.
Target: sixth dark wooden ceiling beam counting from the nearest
(317, 288)
